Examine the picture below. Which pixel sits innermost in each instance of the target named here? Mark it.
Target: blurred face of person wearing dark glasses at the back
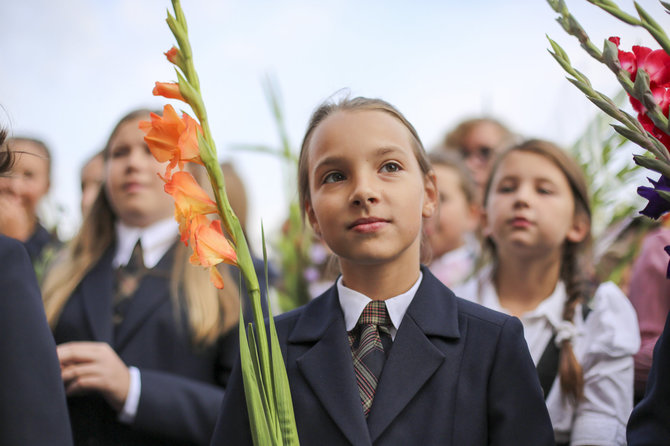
(480, 147)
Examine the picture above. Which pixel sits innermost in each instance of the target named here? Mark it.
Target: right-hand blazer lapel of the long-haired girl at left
(153, 290)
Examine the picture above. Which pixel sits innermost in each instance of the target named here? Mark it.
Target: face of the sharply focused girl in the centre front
(367, 191)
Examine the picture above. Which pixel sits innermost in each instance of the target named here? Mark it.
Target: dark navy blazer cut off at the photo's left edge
(32, 397)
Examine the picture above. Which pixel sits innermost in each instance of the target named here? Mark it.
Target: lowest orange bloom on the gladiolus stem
(210, 247)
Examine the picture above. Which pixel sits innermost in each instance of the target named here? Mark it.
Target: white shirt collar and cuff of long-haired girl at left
(156, 241)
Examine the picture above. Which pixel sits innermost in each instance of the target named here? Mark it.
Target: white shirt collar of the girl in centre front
(353, 303)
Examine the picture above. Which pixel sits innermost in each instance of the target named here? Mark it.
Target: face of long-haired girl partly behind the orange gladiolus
(134, 189)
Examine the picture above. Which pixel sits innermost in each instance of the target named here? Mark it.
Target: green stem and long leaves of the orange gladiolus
(266, 384)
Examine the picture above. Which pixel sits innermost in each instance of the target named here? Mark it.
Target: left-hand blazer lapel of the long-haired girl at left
(96, 289)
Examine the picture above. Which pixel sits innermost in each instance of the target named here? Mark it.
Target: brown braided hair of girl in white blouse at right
(575, 266)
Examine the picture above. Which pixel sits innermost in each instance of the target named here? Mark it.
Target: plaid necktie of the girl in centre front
(367, 341)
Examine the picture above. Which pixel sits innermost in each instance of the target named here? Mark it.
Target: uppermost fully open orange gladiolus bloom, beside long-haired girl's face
(171, 138)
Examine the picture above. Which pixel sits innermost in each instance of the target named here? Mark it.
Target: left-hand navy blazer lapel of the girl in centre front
(327, 365)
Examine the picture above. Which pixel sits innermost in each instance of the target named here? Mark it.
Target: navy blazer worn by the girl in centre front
(457, 374)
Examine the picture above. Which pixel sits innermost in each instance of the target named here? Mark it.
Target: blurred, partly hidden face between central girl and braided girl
(455, 217)
